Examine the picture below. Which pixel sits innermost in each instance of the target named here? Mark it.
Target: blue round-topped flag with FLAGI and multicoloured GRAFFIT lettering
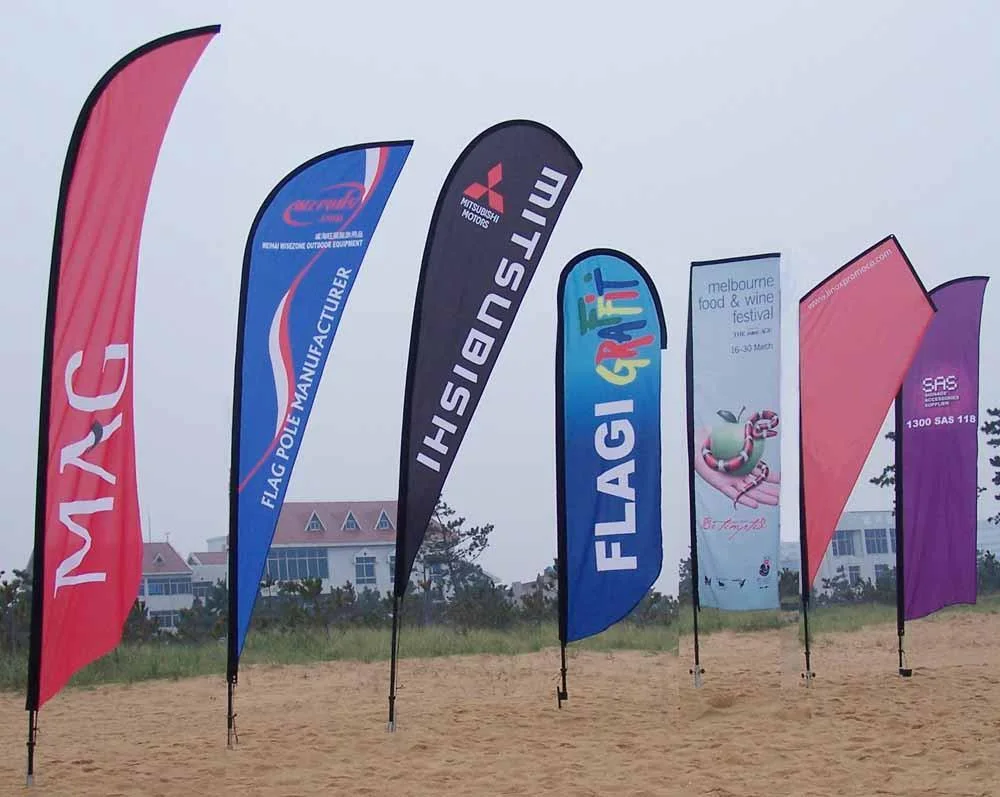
(611, 333)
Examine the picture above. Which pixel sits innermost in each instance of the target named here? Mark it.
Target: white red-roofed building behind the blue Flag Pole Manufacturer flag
(337, 541)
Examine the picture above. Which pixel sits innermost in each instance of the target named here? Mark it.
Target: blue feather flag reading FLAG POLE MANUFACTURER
(303, 254)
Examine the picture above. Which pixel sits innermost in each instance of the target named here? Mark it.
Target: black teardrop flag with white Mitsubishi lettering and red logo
(491, 223)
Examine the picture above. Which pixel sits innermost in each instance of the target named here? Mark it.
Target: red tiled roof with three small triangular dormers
(295, 517)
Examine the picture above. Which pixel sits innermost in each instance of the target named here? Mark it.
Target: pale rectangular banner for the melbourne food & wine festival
(733, 389)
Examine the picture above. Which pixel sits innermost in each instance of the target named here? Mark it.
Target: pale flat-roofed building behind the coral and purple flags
(864, 544)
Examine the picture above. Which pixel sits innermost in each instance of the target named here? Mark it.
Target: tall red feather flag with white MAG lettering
(88, 542)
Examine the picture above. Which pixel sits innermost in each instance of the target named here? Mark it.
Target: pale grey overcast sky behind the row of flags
(705, 130)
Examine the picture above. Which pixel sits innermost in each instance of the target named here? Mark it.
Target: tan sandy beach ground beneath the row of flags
(487, 725)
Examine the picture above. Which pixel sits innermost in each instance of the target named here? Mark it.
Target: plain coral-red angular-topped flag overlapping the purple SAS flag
(876, 296)
